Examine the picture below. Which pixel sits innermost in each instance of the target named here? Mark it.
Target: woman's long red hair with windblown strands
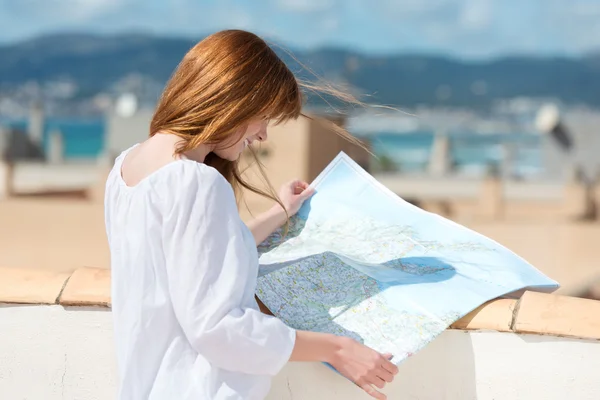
(221, 84)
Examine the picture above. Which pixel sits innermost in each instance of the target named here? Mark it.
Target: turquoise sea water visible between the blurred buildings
(471, 152)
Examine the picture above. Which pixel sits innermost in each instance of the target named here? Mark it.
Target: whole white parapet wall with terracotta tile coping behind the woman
(56, 342)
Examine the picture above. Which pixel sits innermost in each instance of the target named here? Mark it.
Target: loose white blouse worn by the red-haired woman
(184, 271)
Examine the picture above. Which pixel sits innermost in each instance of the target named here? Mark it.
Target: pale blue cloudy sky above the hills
(464, 28)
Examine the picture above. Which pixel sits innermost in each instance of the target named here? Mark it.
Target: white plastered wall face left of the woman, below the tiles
(47, 353)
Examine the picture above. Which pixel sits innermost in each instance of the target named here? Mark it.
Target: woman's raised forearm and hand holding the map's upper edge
(292, 195)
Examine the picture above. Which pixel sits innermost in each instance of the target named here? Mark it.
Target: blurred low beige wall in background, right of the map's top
(465, 199)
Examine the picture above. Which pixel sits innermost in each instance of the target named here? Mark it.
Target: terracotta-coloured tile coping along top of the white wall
(535, 313)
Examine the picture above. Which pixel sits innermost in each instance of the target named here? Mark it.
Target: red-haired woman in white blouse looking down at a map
(184, 265)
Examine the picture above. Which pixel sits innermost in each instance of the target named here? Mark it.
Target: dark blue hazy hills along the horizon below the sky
(102, 64)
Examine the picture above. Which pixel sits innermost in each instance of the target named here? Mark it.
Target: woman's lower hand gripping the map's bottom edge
(363, 366)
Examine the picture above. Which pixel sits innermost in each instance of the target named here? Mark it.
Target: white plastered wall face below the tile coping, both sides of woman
(51, 353)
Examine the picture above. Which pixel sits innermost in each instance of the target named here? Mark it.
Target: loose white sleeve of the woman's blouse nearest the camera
(207, 266)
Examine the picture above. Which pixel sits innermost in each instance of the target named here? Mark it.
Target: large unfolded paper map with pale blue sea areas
(359, 261)
